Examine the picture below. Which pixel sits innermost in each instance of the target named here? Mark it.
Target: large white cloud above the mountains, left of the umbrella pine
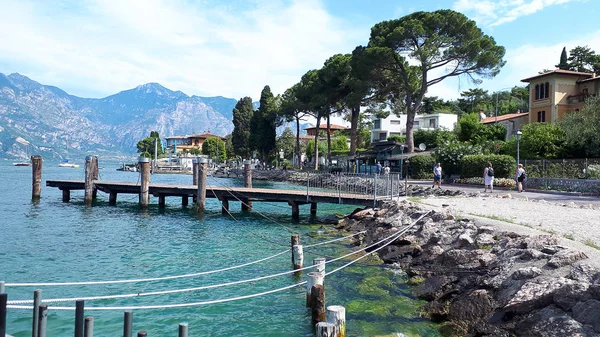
(104, 46)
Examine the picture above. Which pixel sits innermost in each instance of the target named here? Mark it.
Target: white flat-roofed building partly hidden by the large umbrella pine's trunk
(396, 126)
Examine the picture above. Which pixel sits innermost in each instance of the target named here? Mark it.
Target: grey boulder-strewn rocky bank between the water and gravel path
(482, 281)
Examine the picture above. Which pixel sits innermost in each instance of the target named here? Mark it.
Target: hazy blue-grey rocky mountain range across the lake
(49, 118)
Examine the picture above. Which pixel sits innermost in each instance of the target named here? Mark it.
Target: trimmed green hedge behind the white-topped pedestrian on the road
(473, 165)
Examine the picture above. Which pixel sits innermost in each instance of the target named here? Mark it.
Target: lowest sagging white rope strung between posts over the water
(390, 239)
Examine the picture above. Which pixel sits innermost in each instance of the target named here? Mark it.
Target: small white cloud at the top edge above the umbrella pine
(497, 12)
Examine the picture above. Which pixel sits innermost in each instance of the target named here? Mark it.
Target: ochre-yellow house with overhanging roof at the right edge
(555, 93)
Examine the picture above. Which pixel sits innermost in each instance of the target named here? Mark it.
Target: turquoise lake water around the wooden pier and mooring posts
(52, 241)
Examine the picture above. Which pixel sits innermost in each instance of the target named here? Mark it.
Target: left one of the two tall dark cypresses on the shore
(240, 138)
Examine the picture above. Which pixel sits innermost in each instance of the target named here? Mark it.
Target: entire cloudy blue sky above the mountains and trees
(94, 48)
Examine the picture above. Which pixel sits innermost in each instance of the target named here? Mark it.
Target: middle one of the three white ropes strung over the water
(391, 238)
